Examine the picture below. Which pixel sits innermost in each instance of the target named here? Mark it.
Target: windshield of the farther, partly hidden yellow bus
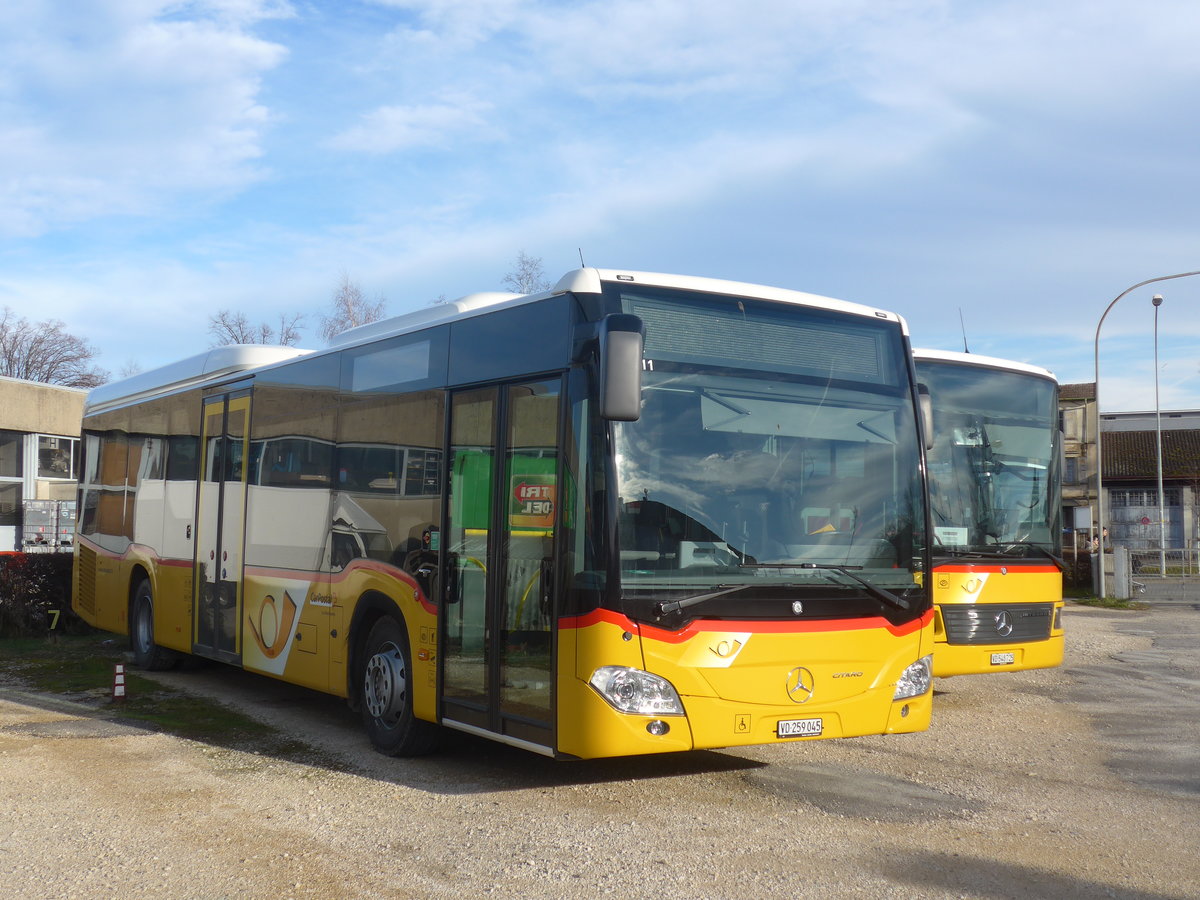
(993, 470)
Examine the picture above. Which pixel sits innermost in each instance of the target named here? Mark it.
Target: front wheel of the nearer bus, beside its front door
(388, 697)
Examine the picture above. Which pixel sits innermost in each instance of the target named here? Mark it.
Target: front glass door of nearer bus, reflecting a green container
(499, 649)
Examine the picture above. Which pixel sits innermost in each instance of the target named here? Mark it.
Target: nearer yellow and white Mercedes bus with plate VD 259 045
(633, 514)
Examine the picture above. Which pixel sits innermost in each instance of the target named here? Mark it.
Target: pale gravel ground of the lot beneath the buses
(1082, 782)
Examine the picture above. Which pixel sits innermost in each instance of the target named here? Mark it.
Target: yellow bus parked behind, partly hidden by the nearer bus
(995, 485)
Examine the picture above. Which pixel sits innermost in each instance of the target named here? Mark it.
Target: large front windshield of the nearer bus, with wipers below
(776, 454)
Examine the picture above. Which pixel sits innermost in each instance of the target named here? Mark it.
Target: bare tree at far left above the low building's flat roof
(45, 352)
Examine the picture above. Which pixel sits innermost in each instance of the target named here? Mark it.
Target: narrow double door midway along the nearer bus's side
(220, 529)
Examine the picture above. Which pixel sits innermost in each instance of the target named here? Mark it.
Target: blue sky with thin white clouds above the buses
(998, 172)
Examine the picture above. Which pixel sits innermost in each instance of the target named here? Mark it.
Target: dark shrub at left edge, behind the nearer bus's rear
(33, 586)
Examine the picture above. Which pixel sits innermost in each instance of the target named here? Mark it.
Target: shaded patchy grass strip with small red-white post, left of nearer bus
(81, 670)
